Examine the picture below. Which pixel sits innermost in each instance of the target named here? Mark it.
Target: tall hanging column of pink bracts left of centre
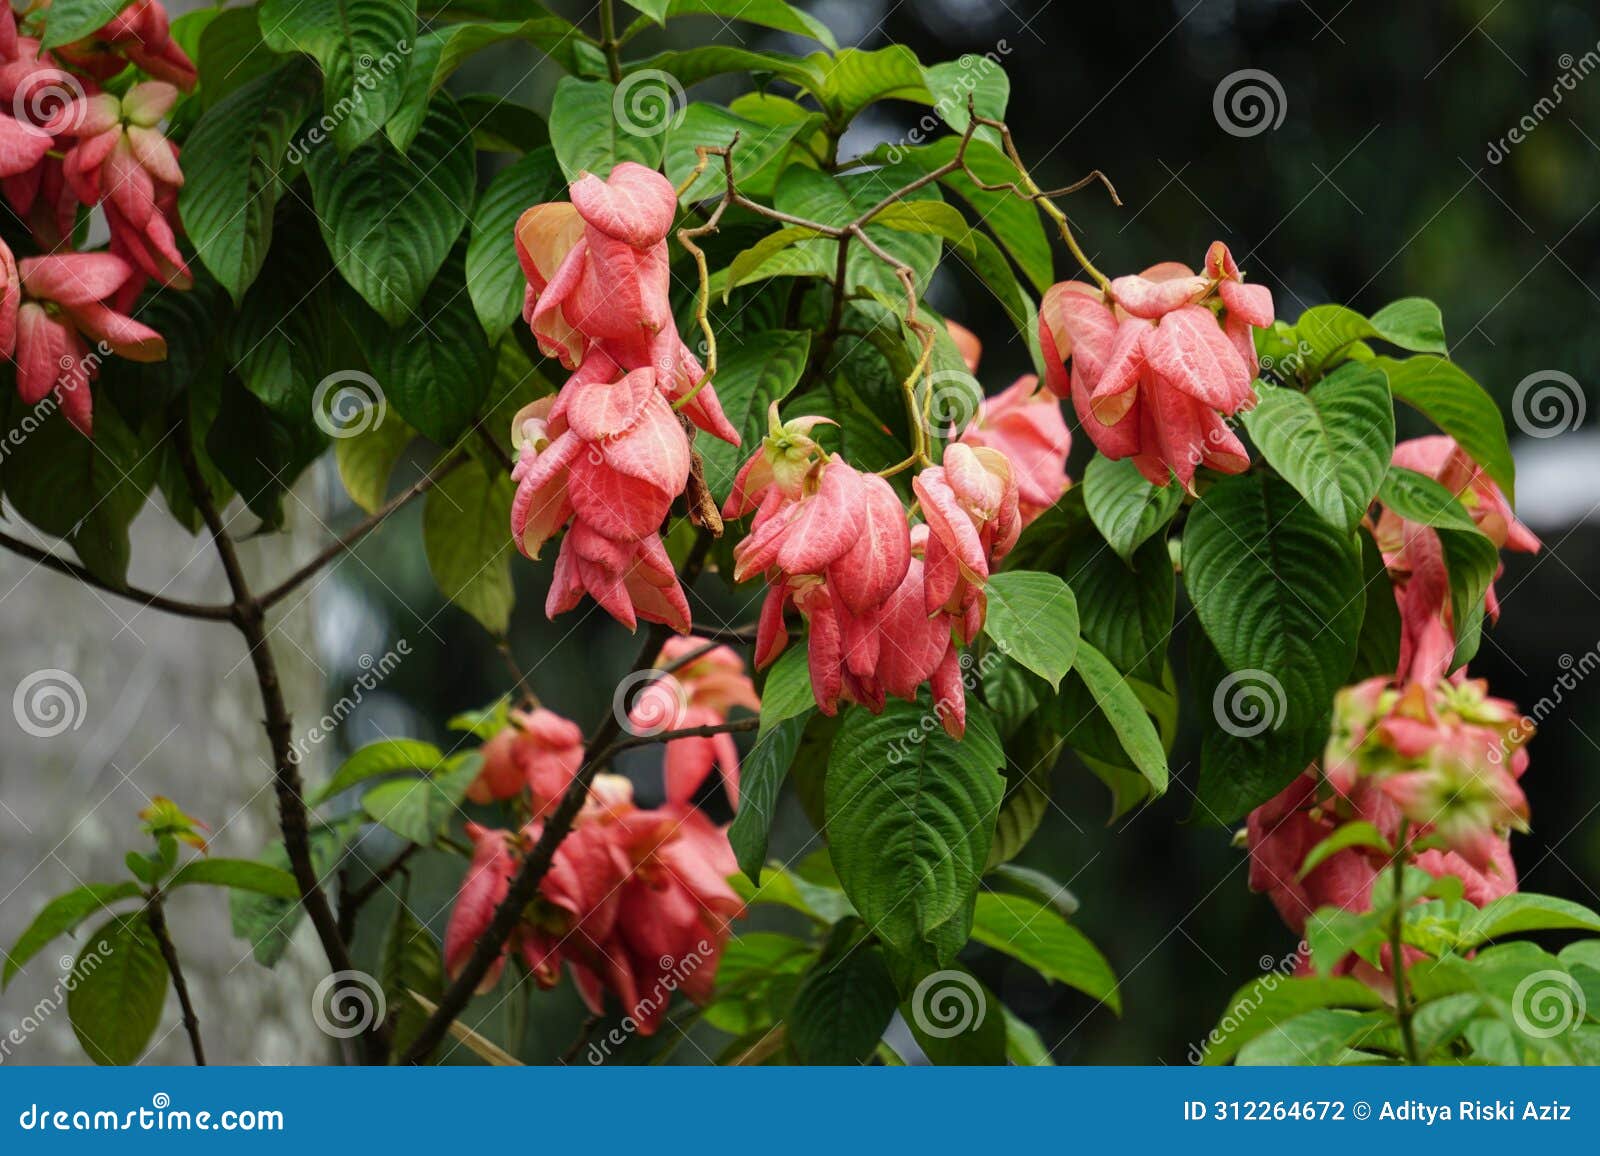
(609, 452)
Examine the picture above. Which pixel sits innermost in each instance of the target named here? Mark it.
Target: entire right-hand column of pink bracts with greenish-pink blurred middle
(1433, 755)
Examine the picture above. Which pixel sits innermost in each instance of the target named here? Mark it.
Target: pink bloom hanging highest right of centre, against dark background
(1154, 367)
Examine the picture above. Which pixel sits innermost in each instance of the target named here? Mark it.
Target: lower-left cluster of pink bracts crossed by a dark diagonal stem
(636, 901)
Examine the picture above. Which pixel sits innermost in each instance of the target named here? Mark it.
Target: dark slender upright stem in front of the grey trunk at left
(286, 768)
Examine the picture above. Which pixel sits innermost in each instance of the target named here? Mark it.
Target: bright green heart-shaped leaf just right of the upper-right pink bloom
(1332, 444)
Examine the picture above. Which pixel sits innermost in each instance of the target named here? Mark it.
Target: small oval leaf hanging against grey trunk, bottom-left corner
(116, 1006)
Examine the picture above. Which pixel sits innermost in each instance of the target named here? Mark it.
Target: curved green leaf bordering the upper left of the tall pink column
(495, 279)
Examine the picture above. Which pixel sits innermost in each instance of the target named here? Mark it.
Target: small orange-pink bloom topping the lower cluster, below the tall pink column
(705, 692)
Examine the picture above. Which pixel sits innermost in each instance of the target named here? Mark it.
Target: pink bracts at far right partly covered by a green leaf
(1417, 560)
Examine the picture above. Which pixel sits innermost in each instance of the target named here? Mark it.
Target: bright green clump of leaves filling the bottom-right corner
(1482, 997)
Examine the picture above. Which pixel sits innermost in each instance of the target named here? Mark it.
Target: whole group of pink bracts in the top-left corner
(65, 145)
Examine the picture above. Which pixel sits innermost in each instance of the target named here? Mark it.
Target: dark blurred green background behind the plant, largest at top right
(1377, 185)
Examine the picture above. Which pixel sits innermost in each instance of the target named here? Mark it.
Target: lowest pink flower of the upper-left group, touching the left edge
(49, 307)
